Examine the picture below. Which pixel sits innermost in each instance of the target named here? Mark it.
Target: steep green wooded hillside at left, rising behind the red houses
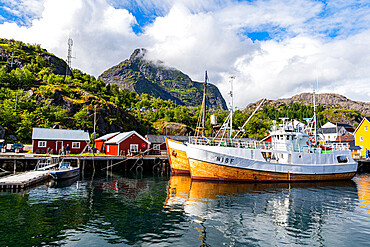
(35, 92)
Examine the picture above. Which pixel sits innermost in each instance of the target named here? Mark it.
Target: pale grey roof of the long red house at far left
(60, 134)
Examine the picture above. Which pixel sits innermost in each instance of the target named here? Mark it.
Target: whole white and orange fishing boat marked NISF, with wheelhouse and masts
(291, 155)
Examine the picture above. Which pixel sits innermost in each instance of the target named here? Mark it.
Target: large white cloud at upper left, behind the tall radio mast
(102, 35)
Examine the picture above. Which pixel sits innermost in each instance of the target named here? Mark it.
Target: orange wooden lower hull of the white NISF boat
(201, 170)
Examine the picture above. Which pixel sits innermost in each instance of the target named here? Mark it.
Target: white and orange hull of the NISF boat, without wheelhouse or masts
(238, 164)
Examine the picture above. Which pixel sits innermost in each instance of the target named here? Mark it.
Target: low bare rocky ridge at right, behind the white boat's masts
(336, 108)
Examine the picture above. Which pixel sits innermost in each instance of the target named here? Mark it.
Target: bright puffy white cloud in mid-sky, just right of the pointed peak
(195, 43)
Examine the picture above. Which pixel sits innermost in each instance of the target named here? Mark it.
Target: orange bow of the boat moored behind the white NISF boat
(179, 161)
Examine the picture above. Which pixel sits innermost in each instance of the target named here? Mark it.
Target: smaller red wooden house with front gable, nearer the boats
(126, 143)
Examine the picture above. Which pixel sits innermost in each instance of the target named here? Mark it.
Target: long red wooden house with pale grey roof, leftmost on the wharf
(55, 140)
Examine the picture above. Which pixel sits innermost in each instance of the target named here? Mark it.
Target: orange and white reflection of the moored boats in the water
(266, 213)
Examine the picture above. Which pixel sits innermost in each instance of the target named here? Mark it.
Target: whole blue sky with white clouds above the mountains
(274, 48)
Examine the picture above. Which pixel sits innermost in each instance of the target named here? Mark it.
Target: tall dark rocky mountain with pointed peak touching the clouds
(141, 75)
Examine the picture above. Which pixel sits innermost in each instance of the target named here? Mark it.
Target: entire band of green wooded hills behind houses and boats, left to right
(35, 92)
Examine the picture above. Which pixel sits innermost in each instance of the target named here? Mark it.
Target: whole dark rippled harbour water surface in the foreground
(174, 211)
